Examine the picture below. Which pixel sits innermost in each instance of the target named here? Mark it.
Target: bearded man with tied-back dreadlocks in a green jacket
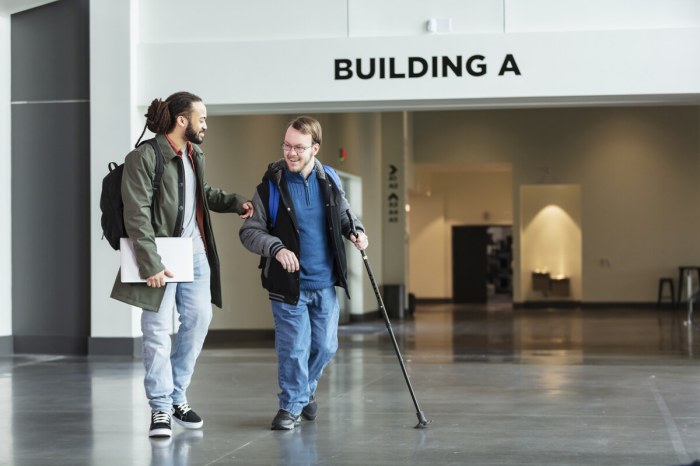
(181, 208)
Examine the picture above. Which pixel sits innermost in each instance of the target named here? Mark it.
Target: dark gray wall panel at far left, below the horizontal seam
(50, 225)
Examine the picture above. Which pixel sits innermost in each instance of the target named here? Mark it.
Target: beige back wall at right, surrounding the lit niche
(637, 167)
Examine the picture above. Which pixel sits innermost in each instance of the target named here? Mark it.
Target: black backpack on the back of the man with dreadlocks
(111, 203)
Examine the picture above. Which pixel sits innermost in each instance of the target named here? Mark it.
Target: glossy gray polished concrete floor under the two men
(502, 387)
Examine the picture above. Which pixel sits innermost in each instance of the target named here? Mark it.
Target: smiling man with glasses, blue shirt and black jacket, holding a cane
(299, 222)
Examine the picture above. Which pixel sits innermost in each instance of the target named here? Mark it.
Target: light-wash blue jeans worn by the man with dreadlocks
(168, 375)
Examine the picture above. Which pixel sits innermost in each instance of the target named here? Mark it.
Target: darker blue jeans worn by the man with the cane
(306, 338)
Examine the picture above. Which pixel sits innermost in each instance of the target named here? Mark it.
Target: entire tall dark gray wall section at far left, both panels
(51, 178)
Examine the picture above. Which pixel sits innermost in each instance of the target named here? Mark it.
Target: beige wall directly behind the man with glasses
(238, 150)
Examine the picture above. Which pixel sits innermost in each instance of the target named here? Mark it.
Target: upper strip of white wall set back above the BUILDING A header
(274, 20)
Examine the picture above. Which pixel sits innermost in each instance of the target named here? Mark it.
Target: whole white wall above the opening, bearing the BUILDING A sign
(627, 61)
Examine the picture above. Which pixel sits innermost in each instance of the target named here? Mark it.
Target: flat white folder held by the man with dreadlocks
(175, 253)
